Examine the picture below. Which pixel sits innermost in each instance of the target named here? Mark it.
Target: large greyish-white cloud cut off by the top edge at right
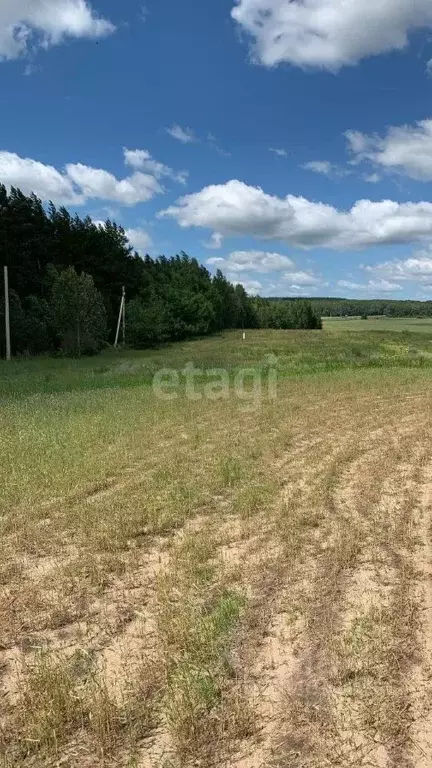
(328, 33)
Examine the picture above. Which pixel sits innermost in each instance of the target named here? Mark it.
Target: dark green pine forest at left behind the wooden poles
(66, 276)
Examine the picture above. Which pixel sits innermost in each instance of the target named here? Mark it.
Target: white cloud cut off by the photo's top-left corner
(43, 23)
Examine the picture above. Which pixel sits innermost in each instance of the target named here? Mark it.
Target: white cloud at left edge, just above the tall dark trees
(76, 183)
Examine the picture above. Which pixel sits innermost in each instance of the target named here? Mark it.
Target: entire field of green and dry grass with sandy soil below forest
(235, 577)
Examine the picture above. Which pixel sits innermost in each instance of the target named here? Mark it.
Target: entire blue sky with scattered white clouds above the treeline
(166, 117)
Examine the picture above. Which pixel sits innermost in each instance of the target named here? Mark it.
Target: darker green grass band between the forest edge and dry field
(343, 343)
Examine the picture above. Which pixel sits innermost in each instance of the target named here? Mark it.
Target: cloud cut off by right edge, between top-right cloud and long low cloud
(405, 149)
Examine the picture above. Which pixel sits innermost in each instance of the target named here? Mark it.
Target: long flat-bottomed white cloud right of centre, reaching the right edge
(235, 208)
